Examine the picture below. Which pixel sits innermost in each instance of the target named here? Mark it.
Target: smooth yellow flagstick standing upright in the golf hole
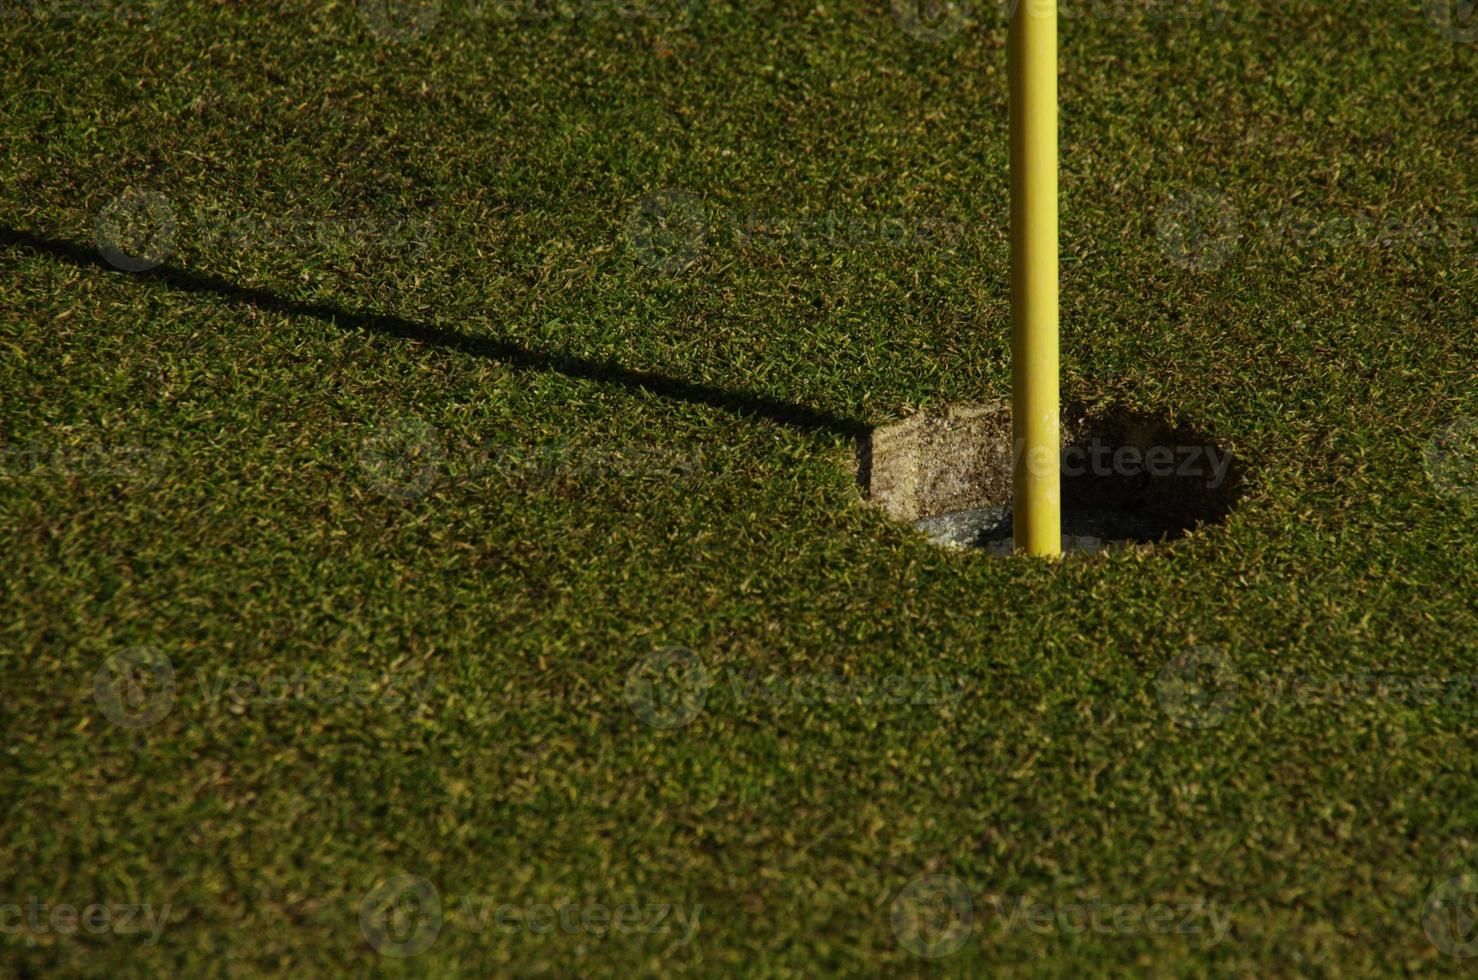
(1032, 76)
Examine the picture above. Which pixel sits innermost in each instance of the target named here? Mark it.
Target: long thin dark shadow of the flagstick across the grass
(521, 358)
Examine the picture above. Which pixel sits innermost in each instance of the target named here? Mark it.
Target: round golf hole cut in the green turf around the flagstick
(1128, 478)
